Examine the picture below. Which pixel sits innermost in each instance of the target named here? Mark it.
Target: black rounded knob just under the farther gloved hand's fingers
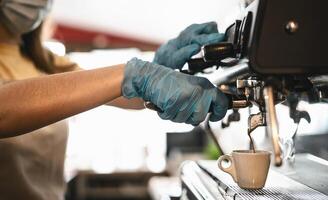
(217, 52)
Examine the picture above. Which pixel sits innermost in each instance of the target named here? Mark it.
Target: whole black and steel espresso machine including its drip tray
(274, 54)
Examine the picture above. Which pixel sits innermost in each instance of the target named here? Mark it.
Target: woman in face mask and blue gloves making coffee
(32, 164)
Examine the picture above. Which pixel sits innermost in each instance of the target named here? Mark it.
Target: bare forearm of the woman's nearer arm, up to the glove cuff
(33, 103)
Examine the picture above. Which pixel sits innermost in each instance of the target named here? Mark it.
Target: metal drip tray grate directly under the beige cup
(278, 186)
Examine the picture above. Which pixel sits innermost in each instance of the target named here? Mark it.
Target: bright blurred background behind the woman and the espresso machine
(122, 154)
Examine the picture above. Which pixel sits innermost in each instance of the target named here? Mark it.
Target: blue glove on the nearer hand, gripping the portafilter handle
(181, 97)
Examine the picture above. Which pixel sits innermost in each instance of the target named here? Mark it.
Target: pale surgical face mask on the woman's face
(22, 16)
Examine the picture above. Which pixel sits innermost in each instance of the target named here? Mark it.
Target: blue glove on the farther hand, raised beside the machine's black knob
(178, 51)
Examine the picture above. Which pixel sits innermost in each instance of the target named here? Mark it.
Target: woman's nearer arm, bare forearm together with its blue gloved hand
(32, 103)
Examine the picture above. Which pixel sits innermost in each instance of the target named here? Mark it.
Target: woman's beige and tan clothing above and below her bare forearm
(31, 165)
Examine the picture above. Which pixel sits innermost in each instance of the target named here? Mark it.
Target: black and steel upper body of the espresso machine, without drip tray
(274, 54)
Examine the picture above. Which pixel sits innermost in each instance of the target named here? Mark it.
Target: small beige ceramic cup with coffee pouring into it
(249, 170)
